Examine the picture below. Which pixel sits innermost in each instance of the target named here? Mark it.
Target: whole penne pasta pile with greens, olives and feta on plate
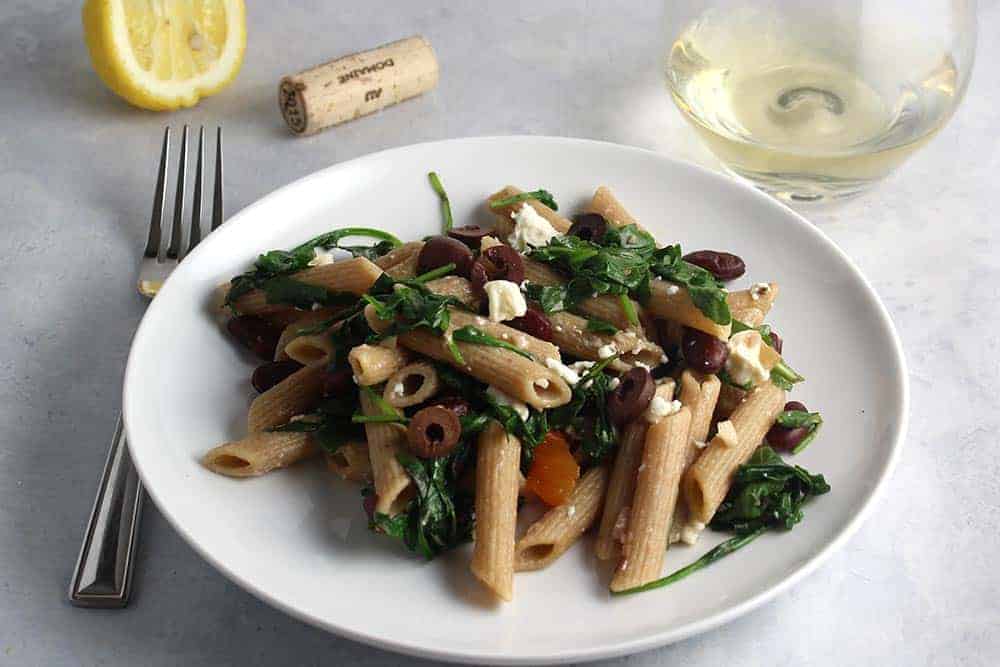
(570, 363)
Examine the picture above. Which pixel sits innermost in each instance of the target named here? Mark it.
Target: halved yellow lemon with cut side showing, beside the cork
(165, 54)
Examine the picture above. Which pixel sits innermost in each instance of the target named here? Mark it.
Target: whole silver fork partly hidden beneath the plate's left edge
(103, 573)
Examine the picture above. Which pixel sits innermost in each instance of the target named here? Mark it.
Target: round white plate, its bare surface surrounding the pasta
(299, 541)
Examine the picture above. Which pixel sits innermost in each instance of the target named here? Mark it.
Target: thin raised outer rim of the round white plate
(625, 647)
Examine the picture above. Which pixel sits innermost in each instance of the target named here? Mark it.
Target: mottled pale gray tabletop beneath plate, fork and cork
(917, 585)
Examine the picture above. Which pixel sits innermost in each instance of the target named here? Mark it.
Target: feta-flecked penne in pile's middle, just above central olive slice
(569, 334)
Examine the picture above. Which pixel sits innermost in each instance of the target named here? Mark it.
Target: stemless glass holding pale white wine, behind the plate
(817, 101)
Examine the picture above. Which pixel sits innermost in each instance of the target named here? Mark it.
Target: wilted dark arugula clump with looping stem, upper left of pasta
(271, 270)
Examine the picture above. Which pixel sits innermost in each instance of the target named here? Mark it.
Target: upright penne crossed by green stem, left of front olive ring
(393, 487)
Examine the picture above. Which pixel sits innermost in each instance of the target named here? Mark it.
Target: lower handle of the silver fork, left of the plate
(103, 574)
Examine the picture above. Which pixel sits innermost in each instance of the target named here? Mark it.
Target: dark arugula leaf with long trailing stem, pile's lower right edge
(766, 494)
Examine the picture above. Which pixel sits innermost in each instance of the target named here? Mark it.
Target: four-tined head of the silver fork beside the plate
(174, 250)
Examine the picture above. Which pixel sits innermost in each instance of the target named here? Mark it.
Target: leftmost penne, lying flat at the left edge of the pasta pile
(259, 453)
